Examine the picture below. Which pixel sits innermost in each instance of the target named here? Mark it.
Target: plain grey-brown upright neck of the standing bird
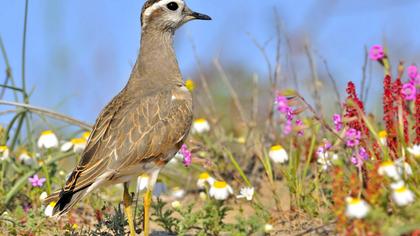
(156, 62)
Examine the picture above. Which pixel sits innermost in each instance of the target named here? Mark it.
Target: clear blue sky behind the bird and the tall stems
(80, 53)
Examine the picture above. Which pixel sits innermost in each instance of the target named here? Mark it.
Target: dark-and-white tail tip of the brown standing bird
(62, 201)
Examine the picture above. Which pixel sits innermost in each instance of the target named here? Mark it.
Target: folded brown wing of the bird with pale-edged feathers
(130, 131)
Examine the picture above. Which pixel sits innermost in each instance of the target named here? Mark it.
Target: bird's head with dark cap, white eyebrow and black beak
(168, 14)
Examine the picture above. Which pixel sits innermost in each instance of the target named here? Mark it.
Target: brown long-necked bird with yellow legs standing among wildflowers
(145, 124)
